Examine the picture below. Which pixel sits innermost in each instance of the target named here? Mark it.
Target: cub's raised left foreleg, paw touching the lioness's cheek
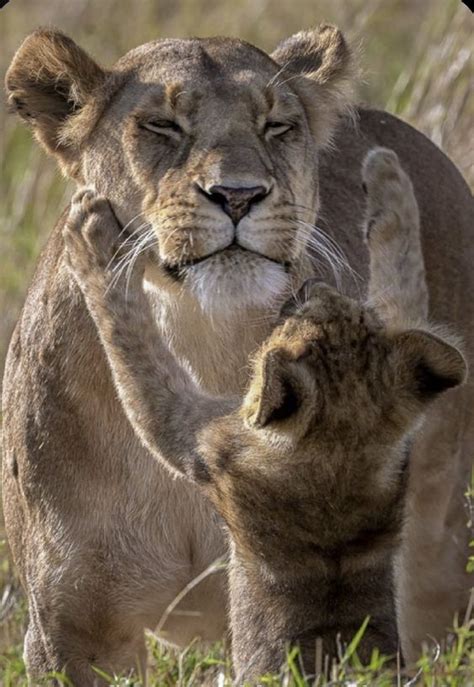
(163, 403)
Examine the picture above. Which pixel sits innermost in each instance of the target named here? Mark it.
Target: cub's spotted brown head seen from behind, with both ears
(332, 374)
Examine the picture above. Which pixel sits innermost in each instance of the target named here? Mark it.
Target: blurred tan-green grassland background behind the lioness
(416, 58)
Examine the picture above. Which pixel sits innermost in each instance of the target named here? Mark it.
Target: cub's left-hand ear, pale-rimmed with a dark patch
(274, 393)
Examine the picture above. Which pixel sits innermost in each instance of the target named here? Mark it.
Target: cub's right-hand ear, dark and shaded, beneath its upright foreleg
(430, 365)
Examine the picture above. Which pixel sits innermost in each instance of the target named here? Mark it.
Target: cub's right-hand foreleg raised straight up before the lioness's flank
(397, 285)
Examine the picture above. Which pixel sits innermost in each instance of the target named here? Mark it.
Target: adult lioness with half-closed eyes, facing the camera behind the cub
(211, 151)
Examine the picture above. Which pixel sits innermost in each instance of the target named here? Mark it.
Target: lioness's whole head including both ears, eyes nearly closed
(207, 147)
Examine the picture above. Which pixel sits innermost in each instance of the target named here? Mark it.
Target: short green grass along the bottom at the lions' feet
(450, 666)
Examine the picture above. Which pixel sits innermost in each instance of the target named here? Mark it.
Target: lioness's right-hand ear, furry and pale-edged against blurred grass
(327, 66)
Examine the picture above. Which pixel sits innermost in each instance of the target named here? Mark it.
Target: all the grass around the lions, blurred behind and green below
(416, 58)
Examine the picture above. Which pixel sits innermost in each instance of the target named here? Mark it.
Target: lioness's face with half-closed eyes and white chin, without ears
(221, 155)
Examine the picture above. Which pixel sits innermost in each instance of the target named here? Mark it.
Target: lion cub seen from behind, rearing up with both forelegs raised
(309, 472)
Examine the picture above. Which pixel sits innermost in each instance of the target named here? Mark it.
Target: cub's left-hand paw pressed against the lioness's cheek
(93, 240)
